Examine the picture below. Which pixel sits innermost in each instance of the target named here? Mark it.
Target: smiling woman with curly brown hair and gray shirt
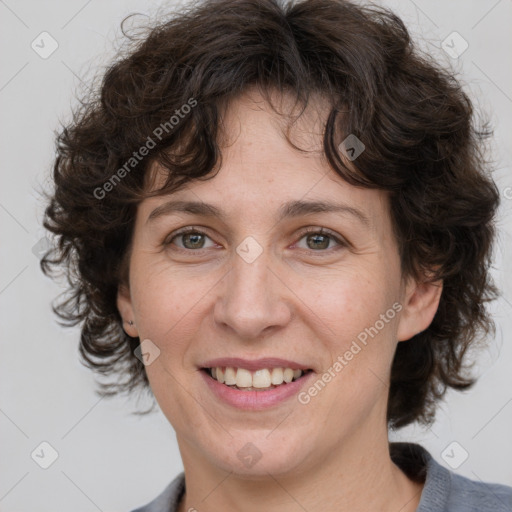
(278, 219)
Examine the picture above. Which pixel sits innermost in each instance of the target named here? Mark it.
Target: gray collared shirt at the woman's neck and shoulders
(444, 490)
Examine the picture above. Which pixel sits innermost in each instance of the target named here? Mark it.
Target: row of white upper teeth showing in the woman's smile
(260, 379)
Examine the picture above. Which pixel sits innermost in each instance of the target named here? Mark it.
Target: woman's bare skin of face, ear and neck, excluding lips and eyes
(291, 302)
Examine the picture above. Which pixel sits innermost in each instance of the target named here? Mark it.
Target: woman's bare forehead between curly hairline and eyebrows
(261, 173)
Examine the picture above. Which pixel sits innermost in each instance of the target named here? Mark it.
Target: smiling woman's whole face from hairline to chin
(262, 282)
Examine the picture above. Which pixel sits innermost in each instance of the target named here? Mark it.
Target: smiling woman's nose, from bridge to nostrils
(253, 299)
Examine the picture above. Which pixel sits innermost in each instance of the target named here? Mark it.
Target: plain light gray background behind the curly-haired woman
(109, 459)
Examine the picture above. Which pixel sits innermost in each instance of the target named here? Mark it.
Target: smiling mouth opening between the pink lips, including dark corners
(263, 379)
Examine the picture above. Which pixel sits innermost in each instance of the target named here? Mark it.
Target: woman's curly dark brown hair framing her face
(421, 144)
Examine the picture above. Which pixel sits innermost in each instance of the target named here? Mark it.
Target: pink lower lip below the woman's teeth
(255, 400)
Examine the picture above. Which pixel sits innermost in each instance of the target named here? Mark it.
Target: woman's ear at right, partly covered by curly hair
(420, 303)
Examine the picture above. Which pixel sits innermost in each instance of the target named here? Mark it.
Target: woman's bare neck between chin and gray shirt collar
(358, 476)
